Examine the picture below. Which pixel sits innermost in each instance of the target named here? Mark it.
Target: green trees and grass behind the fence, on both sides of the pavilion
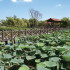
(15, 23)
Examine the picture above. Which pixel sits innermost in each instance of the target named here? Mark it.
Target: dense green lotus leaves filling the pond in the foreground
(45, 52)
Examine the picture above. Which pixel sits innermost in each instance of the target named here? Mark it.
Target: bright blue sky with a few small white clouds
(48, 8)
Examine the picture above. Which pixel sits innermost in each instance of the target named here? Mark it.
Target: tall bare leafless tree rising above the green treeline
(35, 15)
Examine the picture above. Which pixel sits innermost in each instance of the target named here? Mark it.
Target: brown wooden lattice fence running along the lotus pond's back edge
(10, 35)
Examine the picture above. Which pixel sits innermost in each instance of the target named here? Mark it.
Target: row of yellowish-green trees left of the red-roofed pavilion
(20, 23)
